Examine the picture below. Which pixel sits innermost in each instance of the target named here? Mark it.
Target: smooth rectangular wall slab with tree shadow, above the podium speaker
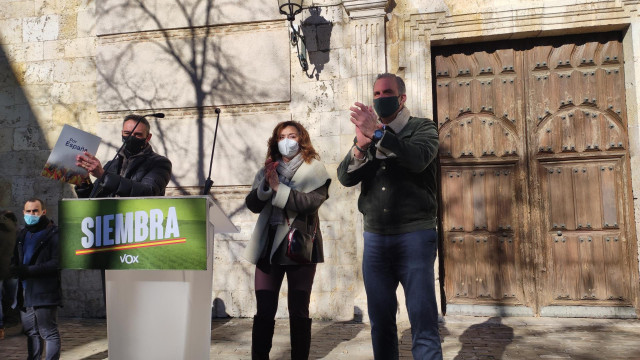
(234, 74)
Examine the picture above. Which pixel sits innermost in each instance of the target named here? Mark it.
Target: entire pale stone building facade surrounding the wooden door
(87, 64)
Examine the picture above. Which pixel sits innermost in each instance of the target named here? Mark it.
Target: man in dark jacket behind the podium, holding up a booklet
(137, 170)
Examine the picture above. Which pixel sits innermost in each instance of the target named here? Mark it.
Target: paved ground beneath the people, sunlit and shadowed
(462, 338)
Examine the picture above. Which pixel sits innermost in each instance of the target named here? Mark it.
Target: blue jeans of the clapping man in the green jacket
(407, 259)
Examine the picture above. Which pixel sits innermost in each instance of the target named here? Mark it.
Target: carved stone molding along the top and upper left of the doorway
(410, 56)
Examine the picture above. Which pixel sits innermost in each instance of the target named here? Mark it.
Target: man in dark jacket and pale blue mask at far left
(35, 263)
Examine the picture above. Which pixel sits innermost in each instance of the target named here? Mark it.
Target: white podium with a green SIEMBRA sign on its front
(156, 311)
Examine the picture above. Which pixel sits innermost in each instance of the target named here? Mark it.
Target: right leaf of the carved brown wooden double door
(580, 178)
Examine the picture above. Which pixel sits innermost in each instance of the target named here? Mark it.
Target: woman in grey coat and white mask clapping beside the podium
(287, 193)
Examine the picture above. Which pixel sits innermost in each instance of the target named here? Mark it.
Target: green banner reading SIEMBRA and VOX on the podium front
(156, 233)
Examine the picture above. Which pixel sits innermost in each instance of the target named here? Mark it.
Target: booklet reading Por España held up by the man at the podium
(61, 164)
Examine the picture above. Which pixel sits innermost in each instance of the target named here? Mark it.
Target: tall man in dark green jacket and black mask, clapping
(393, 157)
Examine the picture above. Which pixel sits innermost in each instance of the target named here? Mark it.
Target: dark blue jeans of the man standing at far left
(40, 323)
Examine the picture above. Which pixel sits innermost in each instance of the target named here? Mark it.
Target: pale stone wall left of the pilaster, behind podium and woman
(88, 64)
